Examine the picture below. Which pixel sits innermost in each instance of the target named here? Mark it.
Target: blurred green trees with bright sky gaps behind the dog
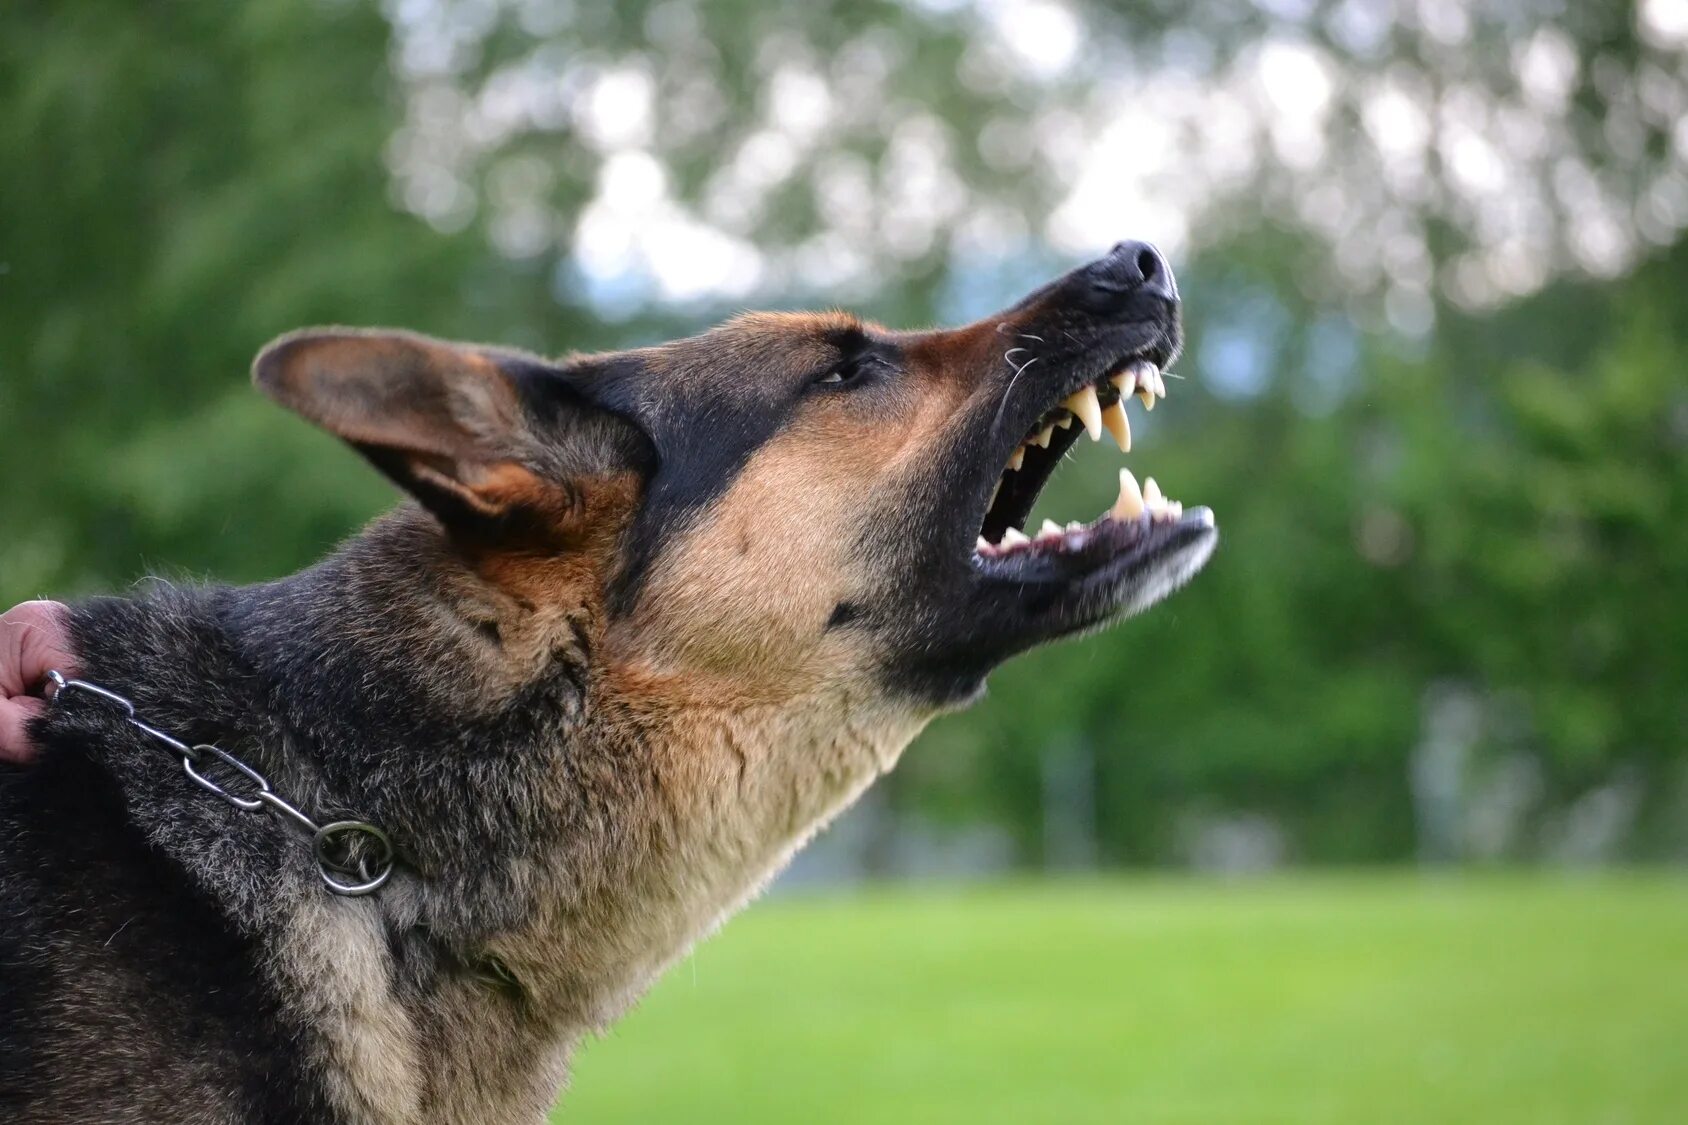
(1436, 378)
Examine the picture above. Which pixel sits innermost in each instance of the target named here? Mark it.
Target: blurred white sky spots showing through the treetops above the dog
(1147, 144)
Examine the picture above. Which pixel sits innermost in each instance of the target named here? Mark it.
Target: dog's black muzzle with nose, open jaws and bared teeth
(1066, 361)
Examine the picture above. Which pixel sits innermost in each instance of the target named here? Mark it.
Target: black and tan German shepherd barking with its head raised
(647, 622)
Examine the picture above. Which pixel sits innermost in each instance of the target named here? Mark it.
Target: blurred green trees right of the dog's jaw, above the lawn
(1503, 508)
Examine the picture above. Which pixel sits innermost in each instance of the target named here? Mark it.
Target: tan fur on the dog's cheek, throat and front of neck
(757, 722)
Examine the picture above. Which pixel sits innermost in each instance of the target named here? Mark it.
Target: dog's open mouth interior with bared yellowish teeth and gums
(1139, 518)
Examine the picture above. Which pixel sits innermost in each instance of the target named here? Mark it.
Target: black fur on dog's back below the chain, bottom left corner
(97, 921)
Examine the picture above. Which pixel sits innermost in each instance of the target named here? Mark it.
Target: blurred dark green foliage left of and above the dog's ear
(187, 182)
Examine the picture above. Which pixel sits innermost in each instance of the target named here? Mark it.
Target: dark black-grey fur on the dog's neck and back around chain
(127, 889)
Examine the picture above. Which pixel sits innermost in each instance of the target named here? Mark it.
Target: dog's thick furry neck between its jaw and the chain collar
(571, 817)
